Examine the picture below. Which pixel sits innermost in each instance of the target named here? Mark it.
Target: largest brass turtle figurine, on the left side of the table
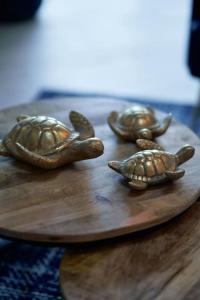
(47, 143)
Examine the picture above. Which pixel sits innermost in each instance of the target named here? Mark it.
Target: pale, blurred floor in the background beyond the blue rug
(129, 47)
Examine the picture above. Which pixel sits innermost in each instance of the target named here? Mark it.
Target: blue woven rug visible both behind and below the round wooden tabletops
(31, 272)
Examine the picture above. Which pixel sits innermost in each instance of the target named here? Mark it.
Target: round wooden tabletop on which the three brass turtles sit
(88, 201)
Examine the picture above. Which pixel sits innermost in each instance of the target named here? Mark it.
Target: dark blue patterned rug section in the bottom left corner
(29, 271)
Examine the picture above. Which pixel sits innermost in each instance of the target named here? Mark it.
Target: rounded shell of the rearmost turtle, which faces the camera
(137, 116)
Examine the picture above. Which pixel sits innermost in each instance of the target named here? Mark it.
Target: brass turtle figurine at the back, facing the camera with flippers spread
(137, 122)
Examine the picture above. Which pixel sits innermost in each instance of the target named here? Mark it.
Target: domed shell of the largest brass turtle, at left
(39, 134)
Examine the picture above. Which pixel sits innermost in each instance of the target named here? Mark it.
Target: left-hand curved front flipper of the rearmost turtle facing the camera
(112, 121)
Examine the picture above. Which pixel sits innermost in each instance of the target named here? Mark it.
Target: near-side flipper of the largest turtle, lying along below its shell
(37, 159)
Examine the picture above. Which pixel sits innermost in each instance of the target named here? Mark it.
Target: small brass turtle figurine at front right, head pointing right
(152, 166)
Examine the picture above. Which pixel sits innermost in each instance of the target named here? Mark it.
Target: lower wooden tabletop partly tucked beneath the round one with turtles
(158, 264)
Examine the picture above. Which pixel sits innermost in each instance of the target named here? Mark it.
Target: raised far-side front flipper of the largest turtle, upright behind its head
(82, 125)
